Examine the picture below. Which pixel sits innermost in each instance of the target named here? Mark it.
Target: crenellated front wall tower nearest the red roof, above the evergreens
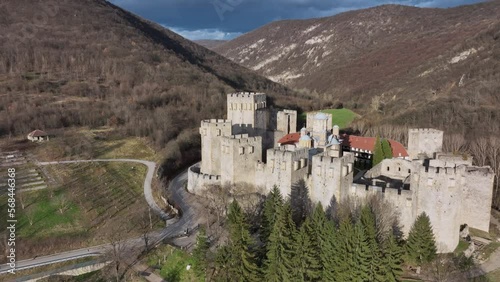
(330, 177)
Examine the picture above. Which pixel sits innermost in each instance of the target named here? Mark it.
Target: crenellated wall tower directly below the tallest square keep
(240, 154)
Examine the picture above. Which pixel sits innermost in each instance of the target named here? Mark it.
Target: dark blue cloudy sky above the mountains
(226, 19)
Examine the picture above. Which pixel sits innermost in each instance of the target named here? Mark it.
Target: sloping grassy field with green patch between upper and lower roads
(85, 203)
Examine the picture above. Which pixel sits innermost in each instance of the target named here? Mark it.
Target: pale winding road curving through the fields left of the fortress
(179, 196)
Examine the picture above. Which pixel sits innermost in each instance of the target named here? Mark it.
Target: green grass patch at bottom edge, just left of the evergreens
(172, 264)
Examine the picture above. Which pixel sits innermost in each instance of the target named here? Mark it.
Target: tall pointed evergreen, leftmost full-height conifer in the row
(241, 264)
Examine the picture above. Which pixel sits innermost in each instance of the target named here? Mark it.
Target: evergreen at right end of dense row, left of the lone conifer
(392, 260)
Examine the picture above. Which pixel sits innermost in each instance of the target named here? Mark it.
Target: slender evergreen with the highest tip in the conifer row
(272, 204)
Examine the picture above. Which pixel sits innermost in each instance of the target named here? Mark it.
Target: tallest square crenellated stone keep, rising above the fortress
(247, 112)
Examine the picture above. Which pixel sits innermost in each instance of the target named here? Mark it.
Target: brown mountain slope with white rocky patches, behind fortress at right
(398, 64)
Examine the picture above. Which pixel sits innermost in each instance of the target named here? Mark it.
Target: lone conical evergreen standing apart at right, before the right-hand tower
(421, 245)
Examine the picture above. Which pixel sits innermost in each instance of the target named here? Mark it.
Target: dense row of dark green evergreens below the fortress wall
(292, 243)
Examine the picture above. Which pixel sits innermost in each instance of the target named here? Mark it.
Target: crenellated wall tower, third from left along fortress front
(285, 168)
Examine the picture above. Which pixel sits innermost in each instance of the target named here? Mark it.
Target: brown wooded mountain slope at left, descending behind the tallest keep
(90, 63)
